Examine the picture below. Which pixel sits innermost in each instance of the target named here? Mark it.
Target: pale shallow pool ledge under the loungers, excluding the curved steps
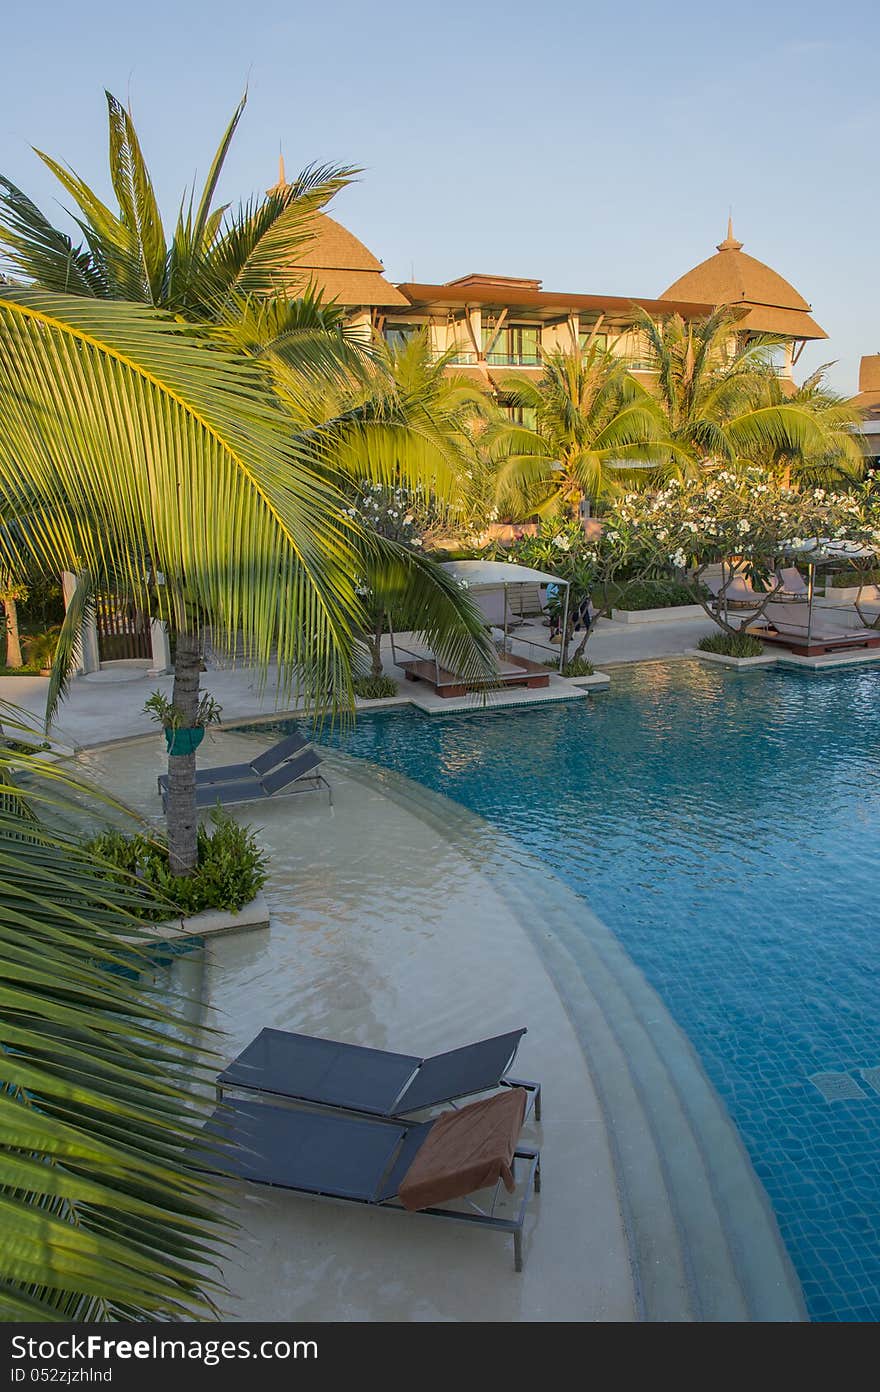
(385, 935)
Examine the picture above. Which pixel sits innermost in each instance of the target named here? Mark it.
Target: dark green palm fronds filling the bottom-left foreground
(104, 1216)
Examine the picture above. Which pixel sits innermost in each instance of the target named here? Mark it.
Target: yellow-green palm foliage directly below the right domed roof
(721, 400)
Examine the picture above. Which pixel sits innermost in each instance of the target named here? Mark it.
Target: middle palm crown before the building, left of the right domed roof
(594, 424)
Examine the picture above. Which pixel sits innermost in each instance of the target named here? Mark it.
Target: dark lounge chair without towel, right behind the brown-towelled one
(359, 1079)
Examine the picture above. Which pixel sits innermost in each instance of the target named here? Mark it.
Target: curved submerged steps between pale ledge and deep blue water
(702, 1235)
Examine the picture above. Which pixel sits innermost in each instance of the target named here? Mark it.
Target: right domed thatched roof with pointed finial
(732, 278)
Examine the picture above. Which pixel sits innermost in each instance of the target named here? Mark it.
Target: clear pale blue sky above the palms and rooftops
(597, 147)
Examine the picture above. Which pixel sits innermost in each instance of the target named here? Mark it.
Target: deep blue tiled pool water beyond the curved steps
(726, 828)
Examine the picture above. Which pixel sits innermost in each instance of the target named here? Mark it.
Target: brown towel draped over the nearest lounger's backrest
(467, 1150)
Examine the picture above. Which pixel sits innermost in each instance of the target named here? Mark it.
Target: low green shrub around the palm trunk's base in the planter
(230, 871)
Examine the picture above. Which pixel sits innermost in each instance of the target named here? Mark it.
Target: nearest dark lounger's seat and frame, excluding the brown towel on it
(346, 1159)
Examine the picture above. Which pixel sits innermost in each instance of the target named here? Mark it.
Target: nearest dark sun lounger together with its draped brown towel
(396, 1166)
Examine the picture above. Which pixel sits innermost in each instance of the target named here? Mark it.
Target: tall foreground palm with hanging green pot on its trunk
(265, 548)
